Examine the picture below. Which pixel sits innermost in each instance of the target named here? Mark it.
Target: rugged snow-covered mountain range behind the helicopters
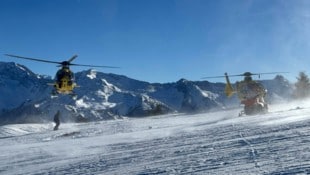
(25, 96)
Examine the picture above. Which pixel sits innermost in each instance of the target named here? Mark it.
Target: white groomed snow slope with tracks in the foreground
(208, 143)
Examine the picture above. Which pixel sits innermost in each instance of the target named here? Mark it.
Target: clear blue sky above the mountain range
(160, 40)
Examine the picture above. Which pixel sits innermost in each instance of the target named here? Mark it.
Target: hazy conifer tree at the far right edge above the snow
(302, 86)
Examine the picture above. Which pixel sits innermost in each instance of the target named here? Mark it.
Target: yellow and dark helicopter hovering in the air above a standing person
(64, 79)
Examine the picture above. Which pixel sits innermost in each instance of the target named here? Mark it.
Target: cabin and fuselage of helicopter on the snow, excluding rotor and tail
(251, 94)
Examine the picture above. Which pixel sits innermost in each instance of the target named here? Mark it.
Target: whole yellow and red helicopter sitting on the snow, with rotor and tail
(250, 93)
